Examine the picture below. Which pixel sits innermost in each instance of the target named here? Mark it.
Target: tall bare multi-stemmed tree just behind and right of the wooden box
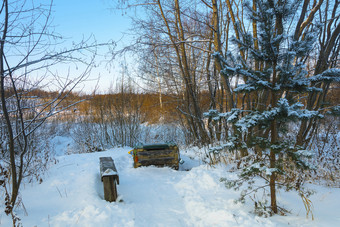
(178, 37)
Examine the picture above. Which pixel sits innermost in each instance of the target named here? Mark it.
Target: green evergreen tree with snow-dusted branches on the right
(280, 75)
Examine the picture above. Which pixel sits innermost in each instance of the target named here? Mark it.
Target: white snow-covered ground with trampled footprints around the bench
(71, 194)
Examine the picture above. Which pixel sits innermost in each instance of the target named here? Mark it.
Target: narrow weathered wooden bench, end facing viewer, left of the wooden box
(109, 177)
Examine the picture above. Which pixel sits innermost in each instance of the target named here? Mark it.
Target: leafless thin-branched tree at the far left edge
(28, 47)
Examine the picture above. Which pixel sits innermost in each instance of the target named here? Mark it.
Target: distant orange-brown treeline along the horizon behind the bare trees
(154, 107)
